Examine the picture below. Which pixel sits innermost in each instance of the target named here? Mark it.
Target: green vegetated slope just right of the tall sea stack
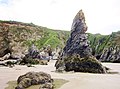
(98, 42)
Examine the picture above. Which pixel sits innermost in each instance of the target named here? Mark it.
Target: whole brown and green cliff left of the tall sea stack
(16, 37)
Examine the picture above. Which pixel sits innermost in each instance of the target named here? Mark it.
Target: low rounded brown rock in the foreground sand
(35, 78)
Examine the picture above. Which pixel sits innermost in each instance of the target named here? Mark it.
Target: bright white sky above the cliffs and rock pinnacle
(102, 16)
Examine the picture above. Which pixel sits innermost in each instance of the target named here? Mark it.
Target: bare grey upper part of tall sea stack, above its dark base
(78, 43)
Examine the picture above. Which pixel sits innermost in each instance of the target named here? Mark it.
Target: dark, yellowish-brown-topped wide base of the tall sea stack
(77, 64)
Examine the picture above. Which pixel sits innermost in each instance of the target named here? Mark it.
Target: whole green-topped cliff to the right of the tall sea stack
(106, 47)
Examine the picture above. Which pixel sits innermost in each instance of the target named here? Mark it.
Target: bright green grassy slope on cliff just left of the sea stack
(49, 37)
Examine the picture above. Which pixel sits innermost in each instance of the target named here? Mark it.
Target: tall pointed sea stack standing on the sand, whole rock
(77, 54)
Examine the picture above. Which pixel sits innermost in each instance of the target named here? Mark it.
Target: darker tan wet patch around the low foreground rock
(57, 84)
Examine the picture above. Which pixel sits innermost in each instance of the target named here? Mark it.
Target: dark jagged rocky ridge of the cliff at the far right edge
(112, 53)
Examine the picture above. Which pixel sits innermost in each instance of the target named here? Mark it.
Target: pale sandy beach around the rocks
(76, 80)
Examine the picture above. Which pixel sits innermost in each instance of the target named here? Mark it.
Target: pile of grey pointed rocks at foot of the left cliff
(34, 56)
